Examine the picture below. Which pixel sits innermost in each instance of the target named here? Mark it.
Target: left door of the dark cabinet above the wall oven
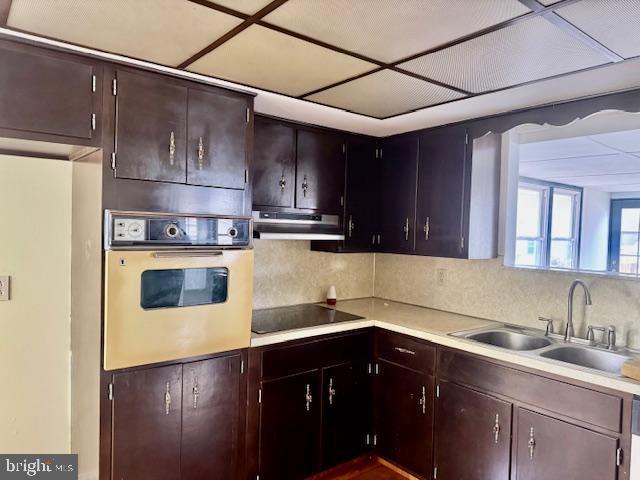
(151, 128)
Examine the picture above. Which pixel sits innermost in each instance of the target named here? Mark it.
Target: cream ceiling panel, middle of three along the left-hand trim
(261, 57)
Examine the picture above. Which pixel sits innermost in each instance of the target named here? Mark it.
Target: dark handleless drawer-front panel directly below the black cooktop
(308, 355)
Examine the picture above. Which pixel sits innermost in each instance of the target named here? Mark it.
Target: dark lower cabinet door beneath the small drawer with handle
(404, 417)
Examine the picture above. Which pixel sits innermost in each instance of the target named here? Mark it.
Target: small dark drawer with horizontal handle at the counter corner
(406, 351)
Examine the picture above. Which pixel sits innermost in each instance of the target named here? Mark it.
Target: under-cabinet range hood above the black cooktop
(269, 225)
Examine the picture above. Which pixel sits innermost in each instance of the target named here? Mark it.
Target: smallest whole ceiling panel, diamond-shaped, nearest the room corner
(383, 94)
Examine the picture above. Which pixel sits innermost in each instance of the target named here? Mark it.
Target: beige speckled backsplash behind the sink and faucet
(487, 289)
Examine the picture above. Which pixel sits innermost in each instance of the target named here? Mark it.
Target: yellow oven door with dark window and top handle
(166, 305)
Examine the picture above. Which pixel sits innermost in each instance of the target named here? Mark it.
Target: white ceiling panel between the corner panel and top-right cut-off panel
(530, 50)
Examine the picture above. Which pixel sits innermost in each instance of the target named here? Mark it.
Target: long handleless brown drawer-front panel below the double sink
(596, 408)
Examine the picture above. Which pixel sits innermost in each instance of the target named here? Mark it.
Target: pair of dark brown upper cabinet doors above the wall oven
(168, 131)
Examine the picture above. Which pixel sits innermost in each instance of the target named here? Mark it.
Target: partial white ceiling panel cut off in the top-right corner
(613, 23)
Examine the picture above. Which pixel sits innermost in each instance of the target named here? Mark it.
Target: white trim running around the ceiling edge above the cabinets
(607, 79)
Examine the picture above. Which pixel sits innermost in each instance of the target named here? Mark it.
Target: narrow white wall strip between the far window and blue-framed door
(594, 233)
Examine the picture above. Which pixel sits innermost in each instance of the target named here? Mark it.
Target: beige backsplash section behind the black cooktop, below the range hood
(288, 273)
